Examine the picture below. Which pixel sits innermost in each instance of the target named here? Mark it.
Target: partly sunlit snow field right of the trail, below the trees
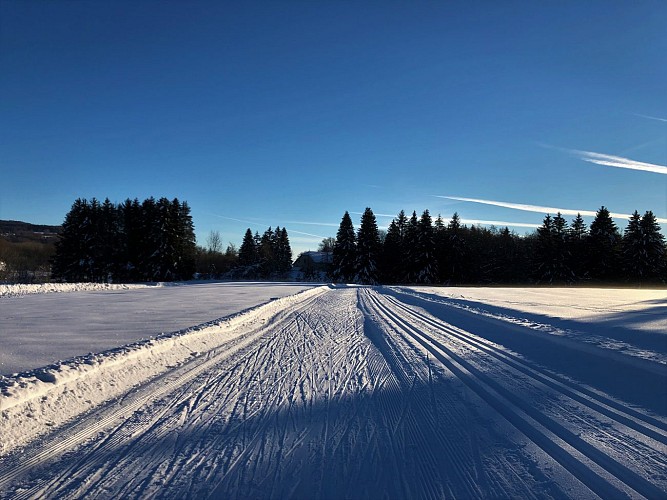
(603, 318)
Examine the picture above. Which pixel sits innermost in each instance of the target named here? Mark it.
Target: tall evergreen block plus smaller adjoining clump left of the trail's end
(154, 240)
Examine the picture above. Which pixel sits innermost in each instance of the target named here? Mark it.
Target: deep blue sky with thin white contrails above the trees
(291, 112)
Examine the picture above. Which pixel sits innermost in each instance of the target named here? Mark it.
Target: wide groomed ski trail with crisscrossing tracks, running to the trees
(350, 394)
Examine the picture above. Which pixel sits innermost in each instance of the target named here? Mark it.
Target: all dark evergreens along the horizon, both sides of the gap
(154, 240)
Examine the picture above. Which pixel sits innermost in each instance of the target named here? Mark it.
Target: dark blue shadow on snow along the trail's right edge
(617, 375)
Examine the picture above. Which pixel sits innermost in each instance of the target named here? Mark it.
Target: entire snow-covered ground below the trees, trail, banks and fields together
(342, 392)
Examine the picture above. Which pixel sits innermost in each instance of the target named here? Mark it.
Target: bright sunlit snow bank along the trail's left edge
(32, 402)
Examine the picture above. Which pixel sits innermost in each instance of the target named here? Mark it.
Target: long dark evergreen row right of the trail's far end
(420, 250)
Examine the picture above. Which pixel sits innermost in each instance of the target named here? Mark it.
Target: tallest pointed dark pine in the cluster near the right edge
(603, 244)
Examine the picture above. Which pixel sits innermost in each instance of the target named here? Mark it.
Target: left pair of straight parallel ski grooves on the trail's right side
(600, 472)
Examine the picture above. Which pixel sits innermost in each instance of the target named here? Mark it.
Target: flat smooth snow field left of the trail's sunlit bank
(37, 329)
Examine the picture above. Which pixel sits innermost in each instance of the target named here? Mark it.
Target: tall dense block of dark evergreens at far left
(105, 242)
